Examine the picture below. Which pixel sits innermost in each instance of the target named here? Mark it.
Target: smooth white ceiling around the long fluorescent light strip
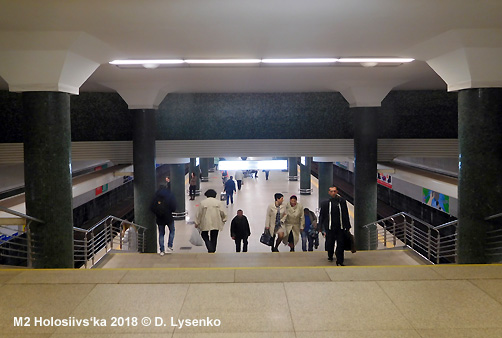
(206, 29)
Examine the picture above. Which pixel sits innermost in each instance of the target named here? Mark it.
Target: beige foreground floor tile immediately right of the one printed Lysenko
(353, 306)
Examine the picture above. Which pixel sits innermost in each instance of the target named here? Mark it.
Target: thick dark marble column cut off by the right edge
(480, 168)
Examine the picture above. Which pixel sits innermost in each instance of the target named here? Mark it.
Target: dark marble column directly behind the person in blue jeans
(144, 173)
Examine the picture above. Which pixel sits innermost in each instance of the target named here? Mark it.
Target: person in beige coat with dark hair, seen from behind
(210, 219)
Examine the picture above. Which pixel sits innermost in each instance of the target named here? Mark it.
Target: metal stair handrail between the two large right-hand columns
(431, 242)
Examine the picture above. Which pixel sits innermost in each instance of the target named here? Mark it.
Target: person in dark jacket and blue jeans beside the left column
(163, 206)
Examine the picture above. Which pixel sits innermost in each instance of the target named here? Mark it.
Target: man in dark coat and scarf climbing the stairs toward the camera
(334, 220)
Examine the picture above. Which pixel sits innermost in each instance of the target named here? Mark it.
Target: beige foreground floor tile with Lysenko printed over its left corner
(240, 307)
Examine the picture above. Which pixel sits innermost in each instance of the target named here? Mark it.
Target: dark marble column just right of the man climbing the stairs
(365, 172)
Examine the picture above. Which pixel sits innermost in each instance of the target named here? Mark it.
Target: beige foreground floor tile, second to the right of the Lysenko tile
(444, 304)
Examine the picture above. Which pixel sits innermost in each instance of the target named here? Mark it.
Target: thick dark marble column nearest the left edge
(47, 171)
